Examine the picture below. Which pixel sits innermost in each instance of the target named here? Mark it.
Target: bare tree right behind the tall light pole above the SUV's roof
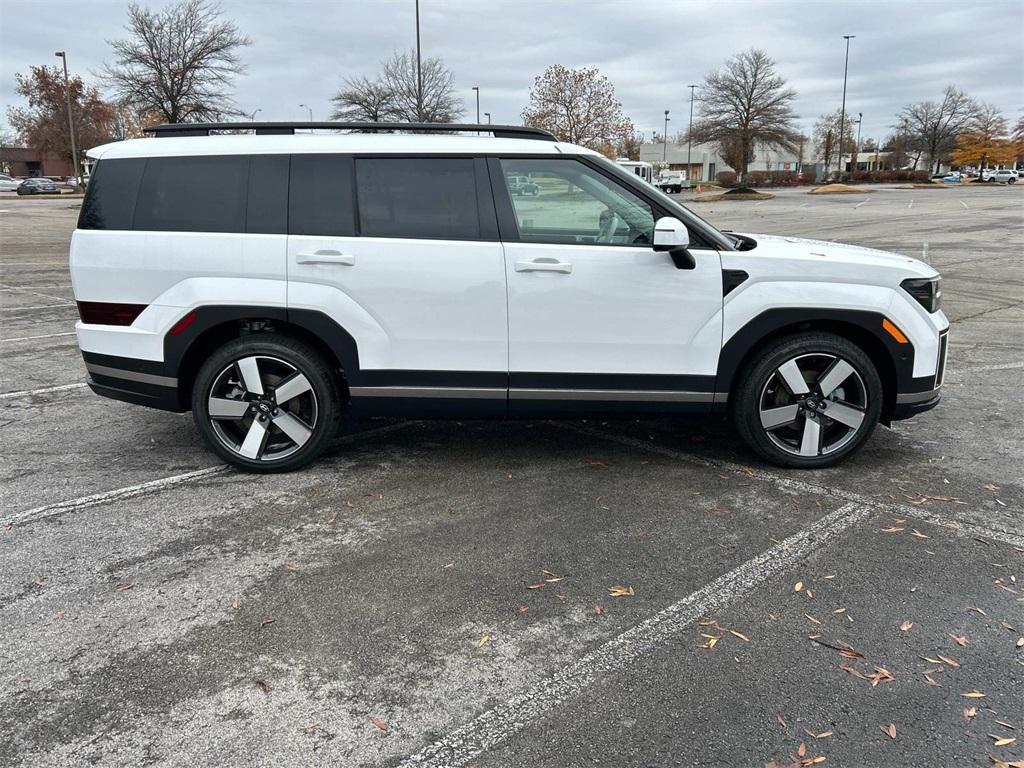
(436, 104)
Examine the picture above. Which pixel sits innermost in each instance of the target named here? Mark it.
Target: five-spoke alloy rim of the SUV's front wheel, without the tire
(814, 405)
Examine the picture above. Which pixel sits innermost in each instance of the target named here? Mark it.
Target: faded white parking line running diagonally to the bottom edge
(498, 724)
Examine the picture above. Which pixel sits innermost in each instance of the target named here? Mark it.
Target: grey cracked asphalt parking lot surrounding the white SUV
(522, 594)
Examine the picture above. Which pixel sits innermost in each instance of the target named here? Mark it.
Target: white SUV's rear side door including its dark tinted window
(403, 253)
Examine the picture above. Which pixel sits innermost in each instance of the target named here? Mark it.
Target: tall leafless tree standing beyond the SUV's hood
(744, 105)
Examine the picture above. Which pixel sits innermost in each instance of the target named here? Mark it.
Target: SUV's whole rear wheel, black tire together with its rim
(313, 414)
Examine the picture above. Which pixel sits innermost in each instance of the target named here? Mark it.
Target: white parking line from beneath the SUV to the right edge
(801, 487)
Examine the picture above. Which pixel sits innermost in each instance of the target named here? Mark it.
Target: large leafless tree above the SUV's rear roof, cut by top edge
(179, 63)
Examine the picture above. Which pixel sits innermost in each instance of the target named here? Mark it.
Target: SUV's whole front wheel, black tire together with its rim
(761, 397)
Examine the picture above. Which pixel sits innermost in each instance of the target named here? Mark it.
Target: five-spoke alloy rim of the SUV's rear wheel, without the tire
(263, 408)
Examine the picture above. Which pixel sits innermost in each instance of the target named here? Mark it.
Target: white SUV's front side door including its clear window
(598, 319)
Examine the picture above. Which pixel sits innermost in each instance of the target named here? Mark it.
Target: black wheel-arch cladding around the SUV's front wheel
(772, 321)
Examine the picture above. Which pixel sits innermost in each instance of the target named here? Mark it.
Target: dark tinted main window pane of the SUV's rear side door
(431, 198)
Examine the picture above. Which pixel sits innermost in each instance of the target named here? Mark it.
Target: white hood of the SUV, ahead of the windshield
(828, 255)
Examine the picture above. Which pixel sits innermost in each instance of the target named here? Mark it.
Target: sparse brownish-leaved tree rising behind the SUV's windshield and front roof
(579, 107)
